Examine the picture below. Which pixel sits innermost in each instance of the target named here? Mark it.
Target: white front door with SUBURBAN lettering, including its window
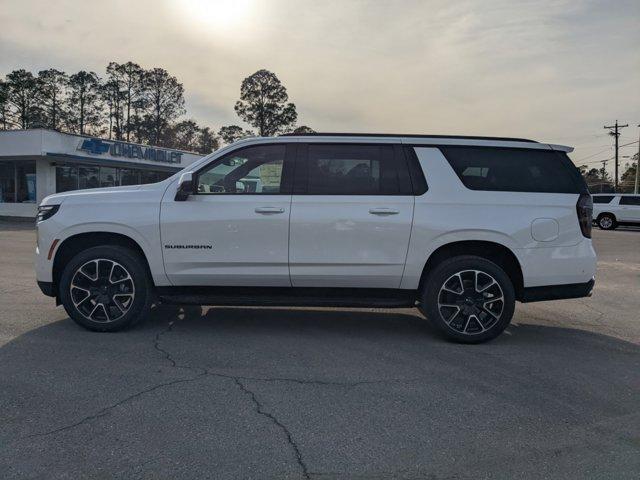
(235, 229)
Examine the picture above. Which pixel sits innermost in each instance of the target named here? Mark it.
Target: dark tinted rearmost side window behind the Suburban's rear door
(514, 170)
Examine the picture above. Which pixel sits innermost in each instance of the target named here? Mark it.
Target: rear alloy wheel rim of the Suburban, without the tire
(471, 302)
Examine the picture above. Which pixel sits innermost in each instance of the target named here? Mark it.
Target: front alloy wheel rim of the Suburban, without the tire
(102, 290)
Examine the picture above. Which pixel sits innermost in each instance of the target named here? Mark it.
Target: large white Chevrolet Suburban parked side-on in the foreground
(460, 227)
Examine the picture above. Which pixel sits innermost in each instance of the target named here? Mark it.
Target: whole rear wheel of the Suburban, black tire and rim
(453, 312)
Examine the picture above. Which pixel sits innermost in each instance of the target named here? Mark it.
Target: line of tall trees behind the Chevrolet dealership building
(133, 104)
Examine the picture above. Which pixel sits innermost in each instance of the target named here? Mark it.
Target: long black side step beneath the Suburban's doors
(289, 297)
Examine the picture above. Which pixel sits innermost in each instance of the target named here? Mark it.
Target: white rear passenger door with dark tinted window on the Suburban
(351, 216)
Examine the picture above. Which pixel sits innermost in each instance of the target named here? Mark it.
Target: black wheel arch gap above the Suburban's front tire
(74, 244)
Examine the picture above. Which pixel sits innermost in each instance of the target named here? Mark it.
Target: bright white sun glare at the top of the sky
(214, 14)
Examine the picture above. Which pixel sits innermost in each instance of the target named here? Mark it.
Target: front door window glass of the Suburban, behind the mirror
(252, 170)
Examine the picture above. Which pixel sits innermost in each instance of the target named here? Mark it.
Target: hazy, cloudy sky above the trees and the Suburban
(553, 71)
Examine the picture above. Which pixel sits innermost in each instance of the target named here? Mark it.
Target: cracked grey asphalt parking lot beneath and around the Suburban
(321, 393)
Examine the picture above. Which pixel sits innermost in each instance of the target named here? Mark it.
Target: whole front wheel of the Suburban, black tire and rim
(130, 275)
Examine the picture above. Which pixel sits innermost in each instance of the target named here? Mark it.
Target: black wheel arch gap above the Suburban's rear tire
(492, 251)
